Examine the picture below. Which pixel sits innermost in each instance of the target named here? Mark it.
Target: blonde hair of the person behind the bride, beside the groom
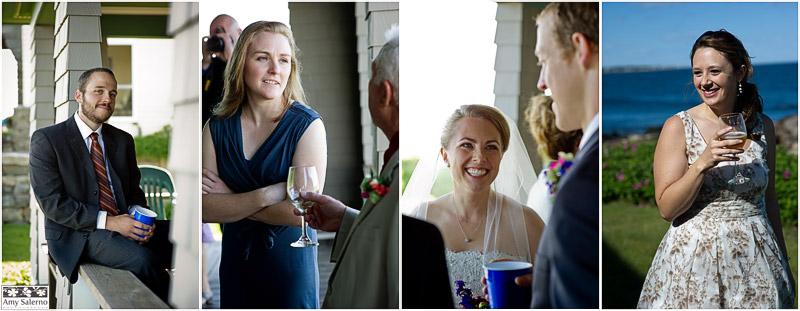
(549, 138)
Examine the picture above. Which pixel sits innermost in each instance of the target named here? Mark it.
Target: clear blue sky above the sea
(662, 34)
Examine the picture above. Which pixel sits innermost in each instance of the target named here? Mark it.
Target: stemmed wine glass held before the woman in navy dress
(302, 178)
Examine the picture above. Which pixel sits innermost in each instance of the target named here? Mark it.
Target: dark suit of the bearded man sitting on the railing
(65, 185)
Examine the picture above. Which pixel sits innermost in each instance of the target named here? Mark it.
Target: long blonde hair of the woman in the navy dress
(234, 94)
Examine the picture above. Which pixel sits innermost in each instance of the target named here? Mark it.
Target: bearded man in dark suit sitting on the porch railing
(84, 176)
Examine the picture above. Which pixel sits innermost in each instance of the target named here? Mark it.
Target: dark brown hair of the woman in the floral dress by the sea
(749, 103)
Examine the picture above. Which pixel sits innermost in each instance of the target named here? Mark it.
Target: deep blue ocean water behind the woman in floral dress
(636, 101)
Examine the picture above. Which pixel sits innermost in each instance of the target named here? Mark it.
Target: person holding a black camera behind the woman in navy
(217, 48)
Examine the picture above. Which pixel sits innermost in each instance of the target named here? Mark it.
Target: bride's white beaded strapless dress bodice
(467, 266)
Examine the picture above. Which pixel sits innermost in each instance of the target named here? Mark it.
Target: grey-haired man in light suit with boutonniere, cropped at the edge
(366, 248)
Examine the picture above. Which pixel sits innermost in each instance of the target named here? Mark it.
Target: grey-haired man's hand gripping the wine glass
(326, 214)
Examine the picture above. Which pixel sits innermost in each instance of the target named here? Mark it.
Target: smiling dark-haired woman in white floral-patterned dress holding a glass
(725, 247)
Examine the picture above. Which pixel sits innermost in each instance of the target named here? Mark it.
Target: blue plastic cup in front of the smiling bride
(503, 292)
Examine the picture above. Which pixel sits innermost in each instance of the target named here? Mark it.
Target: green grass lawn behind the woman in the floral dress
(630, 238)
